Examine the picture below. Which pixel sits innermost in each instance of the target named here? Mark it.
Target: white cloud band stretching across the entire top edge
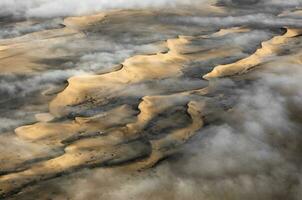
(53, 8)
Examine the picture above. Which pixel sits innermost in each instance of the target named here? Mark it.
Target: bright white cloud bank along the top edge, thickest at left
(51, 8)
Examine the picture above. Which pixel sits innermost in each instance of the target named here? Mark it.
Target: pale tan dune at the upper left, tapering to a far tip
(25, 52)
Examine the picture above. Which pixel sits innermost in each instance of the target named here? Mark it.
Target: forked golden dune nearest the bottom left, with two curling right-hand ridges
(117, 145)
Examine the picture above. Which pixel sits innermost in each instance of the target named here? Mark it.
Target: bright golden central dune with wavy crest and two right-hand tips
(138, 69)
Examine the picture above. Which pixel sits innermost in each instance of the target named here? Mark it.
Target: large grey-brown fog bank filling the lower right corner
(253, 153)
